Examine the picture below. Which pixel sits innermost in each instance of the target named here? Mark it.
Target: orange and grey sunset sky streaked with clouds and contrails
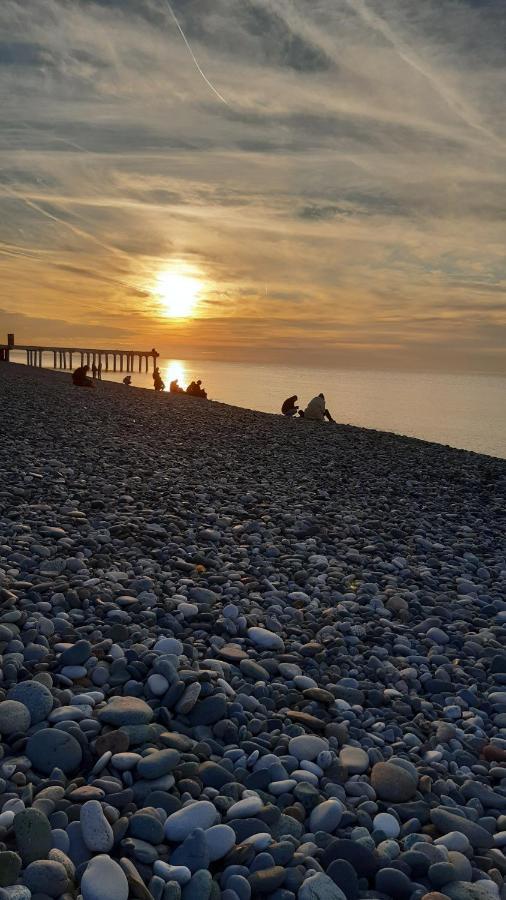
(327, 176)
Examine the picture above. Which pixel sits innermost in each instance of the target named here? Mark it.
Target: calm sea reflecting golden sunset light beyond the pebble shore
(466, 411)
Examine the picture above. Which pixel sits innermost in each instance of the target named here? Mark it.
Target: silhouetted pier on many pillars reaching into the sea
(71, 357)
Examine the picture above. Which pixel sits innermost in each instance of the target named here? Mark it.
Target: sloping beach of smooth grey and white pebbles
(243, 656)
